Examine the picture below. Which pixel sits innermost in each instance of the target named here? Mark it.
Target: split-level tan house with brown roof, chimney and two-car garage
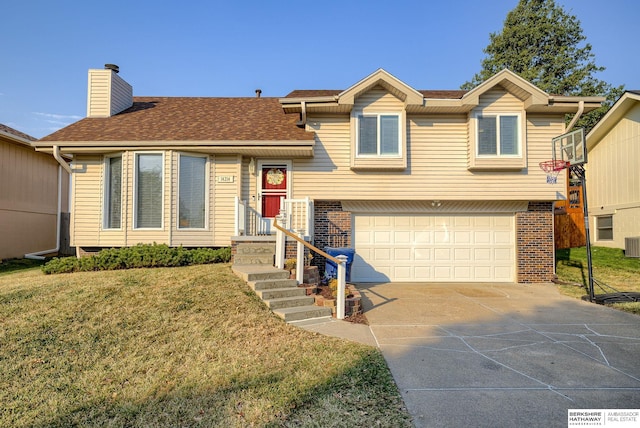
(425, 185)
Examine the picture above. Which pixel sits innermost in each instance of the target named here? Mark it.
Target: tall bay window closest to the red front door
(192, 180)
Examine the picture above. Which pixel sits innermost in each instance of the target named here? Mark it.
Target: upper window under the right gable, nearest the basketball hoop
(498, 135)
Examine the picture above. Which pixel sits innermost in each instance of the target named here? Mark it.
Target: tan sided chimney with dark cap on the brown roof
(108, 94)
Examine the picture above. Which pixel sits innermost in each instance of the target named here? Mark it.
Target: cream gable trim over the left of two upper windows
(396, 87)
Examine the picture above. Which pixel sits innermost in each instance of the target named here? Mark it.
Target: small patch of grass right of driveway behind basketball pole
(610, 267)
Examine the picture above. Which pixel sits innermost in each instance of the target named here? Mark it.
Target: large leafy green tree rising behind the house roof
(545, 45)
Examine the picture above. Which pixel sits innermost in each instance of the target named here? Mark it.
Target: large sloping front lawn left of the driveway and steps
(188, 346)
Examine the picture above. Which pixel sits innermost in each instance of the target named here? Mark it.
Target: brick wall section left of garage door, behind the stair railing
(332, 228)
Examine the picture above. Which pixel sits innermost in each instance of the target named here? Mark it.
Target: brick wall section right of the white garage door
(534, 243)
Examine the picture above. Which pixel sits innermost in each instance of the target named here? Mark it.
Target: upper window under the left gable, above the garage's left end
(379, 135)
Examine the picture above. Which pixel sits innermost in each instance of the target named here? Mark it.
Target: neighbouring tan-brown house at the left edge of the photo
(33, 197)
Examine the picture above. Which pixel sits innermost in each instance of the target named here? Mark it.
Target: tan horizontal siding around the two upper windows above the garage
(437, 164)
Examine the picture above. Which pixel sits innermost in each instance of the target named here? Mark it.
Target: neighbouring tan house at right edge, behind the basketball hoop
(612, 178)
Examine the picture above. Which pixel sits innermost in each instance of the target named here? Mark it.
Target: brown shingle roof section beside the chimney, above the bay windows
(190, 119)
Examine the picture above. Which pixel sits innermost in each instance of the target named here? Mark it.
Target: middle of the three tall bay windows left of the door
(148, 190)
